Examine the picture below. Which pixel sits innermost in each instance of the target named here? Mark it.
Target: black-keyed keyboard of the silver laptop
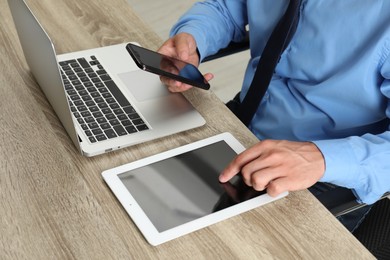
(96, 102)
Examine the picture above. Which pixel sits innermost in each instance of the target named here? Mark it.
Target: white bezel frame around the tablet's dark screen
(150, 232)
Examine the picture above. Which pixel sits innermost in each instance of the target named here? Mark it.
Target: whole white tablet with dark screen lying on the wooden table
(177, 192)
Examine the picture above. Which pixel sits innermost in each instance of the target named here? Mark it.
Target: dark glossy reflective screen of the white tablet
(185, 187)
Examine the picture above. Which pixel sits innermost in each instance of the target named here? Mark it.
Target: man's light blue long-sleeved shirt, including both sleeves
(331, 86)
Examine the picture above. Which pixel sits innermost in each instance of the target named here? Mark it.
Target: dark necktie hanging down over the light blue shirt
(278, 41)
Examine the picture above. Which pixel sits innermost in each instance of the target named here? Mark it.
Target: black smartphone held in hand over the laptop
(167, 66)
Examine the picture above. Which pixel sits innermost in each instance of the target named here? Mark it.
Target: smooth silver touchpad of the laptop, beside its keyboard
(143, 85)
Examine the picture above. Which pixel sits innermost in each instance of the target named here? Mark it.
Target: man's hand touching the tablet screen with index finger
(278, 166)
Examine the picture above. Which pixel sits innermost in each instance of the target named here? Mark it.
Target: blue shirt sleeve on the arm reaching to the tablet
(361, 163)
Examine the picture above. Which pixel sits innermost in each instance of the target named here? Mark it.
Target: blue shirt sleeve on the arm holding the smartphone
(214, 24)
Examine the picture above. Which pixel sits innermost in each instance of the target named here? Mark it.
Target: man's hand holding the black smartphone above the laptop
(183, 47)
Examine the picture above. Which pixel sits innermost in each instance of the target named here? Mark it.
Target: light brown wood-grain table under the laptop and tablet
(54, 203)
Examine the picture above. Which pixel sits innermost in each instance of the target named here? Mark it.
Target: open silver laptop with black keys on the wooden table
(104, 101)
